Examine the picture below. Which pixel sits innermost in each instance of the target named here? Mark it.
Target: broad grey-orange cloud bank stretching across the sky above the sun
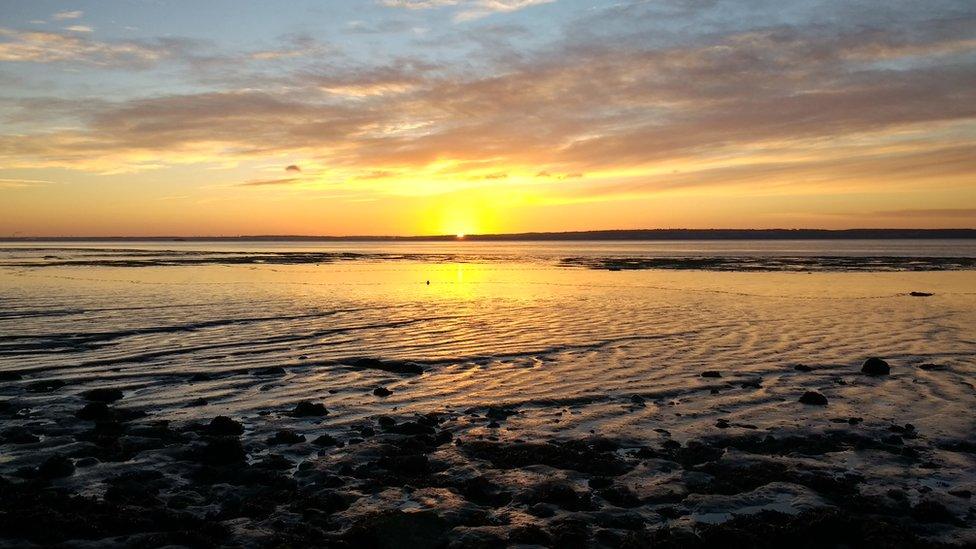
(772, 108)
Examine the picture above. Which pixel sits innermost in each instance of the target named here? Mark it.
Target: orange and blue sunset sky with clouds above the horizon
(154, 117)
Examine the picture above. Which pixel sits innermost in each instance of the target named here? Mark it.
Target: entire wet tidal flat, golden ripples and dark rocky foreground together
(298, 405)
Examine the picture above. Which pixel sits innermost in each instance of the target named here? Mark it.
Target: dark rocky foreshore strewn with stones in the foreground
(460, 478)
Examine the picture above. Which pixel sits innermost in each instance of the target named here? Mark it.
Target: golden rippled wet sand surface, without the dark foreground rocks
(555, 354)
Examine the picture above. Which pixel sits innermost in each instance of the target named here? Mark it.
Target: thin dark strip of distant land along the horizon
(608, 235)
